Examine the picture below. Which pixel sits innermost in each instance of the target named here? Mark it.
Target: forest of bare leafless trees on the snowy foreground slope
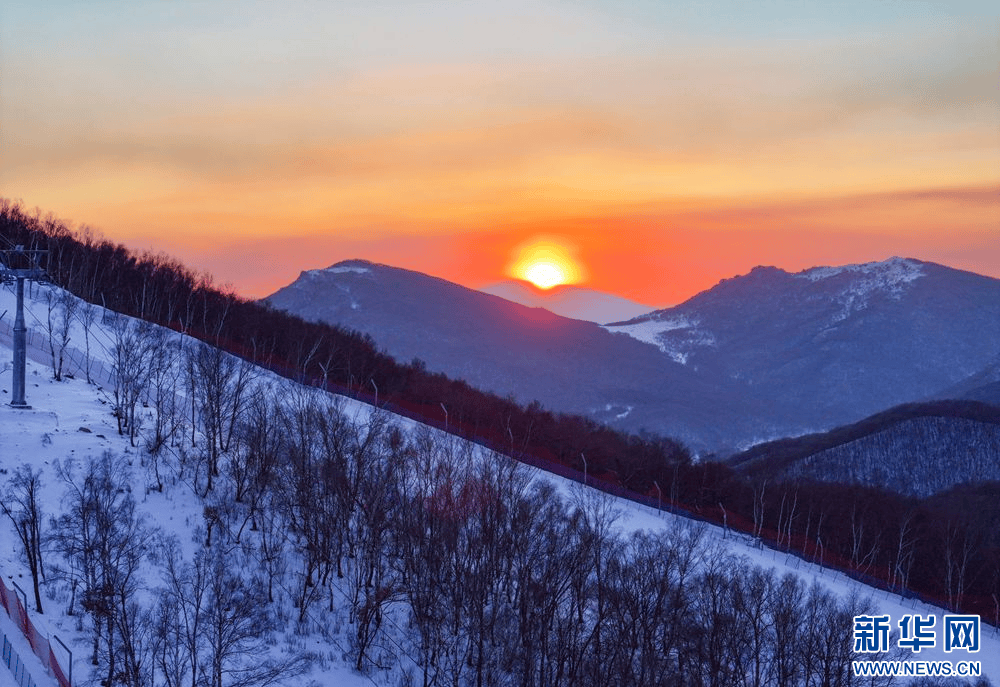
(451, 564)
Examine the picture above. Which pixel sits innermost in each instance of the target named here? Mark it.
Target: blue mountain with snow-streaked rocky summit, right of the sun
(870, 335)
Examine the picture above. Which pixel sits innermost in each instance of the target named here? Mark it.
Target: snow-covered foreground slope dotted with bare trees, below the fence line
(339, 630)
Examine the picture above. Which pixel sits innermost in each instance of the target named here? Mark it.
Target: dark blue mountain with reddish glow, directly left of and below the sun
(530, 353)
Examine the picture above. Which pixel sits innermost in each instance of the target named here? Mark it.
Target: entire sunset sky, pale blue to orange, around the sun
(665, 145)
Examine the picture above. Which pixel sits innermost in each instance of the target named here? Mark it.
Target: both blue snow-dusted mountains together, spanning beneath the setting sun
(758, 356)
